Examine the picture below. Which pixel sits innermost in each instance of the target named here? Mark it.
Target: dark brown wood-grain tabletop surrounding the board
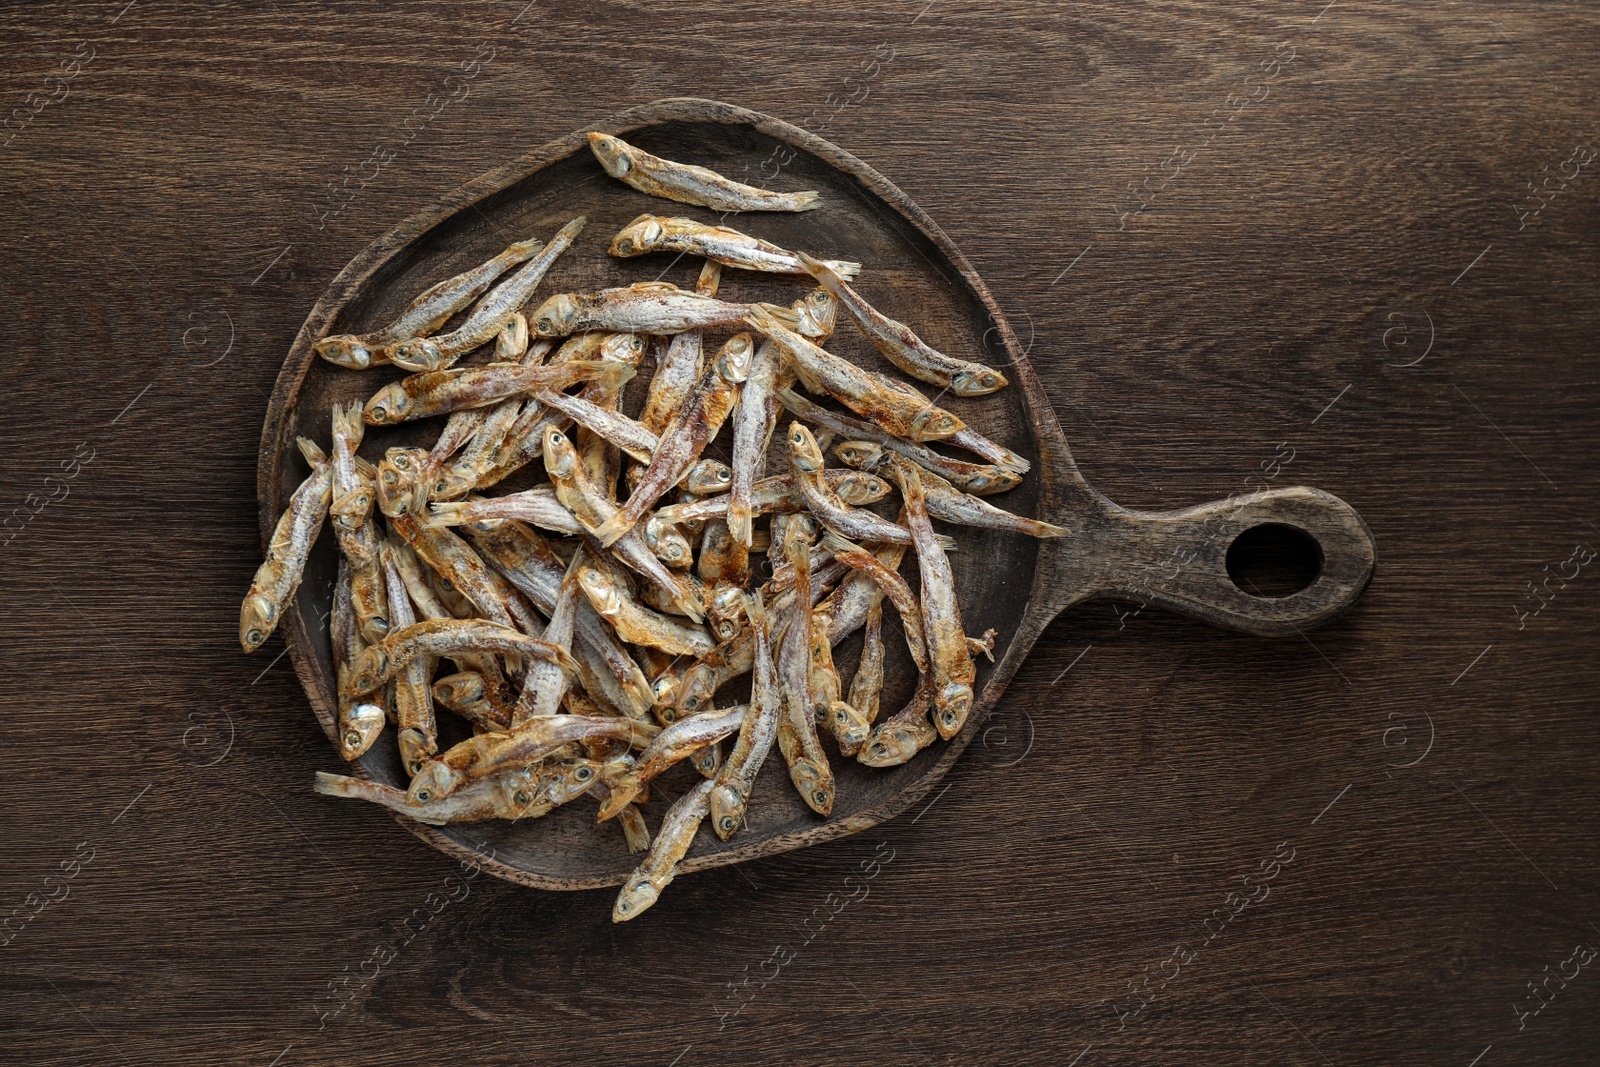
(1364, 262)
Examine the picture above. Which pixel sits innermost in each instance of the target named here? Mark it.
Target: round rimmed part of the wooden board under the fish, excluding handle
(910, 270)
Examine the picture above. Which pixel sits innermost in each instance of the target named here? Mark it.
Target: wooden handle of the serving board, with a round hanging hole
(1178, 561)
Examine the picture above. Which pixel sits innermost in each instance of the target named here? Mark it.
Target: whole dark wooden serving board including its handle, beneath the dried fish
(1010, 583)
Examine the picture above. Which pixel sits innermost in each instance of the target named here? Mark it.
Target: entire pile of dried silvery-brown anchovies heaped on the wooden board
(588, 653)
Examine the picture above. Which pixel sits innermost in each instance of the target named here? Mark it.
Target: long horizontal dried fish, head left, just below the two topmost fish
(642, 308)
